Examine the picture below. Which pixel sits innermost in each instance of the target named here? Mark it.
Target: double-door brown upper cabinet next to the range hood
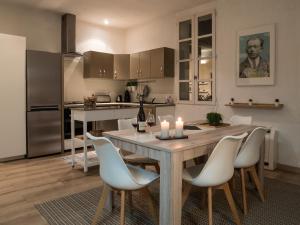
(98, 65)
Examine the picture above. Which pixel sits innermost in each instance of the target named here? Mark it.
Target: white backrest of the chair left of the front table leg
(113, 170)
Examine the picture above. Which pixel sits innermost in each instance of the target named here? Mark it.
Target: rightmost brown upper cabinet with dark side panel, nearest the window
(162, 63)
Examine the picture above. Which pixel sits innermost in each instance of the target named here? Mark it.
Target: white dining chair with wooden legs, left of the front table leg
(116, 175)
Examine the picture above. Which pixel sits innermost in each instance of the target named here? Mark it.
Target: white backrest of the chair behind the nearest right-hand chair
(250, 150)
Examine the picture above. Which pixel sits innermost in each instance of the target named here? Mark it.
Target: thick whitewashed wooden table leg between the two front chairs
(170, 188)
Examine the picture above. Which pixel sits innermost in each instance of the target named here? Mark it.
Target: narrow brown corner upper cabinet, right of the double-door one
(121, 66)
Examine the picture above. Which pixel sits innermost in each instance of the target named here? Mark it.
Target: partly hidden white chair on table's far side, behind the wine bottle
(136, 159)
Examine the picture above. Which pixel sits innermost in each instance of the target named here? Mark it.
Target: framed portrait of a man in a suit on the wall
(256, 56)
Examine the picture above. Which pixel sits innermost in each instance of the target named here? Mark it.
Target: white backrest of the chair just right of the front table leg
(219, 167)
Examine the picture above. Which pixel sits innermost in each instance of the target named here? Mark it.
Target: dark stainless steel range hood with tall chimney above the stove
(68, 36)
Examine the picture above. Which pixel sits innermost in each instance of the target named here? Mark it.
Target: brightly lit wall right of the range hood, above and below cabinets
(97, 38)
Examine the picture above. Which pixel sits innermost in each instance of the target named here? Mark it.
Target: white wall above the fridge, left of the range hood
(41, 28)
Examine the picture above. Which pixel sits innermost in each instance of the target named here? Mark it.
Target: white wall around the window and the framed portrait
(234, 15)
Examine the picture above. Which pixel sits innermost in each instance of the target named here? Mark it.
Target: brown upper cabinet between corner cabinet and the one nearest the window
(140, 65)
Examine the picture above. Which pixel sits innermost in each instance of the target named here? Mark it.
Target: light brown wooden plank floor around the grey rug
(24, 183)
